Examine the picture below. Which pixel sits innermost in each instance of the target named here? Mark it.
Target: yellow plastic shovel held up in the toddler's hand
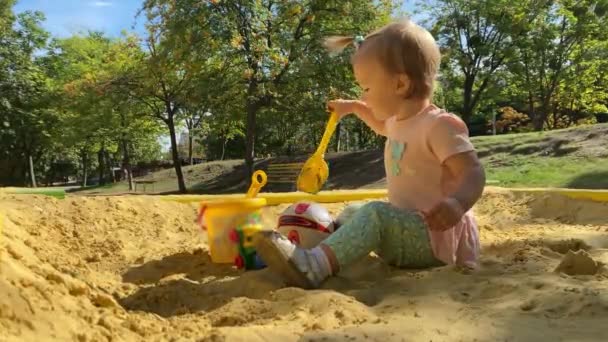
(315, 170)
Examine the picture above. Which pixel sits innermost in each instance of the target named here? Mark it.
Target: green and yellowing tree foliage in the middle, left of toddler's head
(264, 52)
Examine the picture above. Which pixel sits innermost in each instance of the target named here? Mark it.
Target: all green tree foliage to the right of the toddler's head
(544, 58)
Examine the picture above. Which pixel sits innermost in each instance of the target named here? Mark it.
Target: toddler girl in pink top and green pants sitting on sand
(433, 174)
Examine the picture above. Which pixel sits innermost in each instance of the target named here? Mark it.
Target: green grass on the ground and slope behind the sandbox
(570, 158)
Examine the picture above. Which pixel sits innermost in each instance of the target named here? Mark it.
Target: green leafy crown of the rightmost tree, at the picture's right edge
(560, 56)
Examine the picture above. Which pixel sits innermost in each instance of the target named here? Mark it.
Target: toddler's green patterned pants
(400, 237)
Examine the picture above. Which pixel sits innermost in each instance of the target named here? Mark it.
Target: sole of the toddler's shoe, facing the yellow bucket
(276, 260)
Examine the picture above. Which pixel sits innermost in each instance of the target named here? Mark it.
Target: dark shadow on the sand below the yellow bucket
(189, 282)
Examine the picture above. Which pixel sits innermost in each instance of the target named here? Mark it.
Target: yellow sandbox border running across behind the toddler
(363, 194)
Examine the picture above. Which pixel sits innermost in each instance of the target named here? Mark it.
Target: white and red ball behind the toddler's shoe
(306, 223)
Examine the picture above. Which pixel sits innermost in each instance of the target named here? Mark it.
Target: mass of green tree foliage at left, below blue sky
(57, 107)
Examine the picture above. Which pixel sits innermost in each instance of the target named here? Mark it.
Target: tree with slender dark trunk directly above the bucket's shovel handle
(272, 38)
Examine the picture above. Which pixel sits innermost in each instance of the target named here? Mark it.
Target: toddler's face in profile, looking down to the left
(381, 91)
